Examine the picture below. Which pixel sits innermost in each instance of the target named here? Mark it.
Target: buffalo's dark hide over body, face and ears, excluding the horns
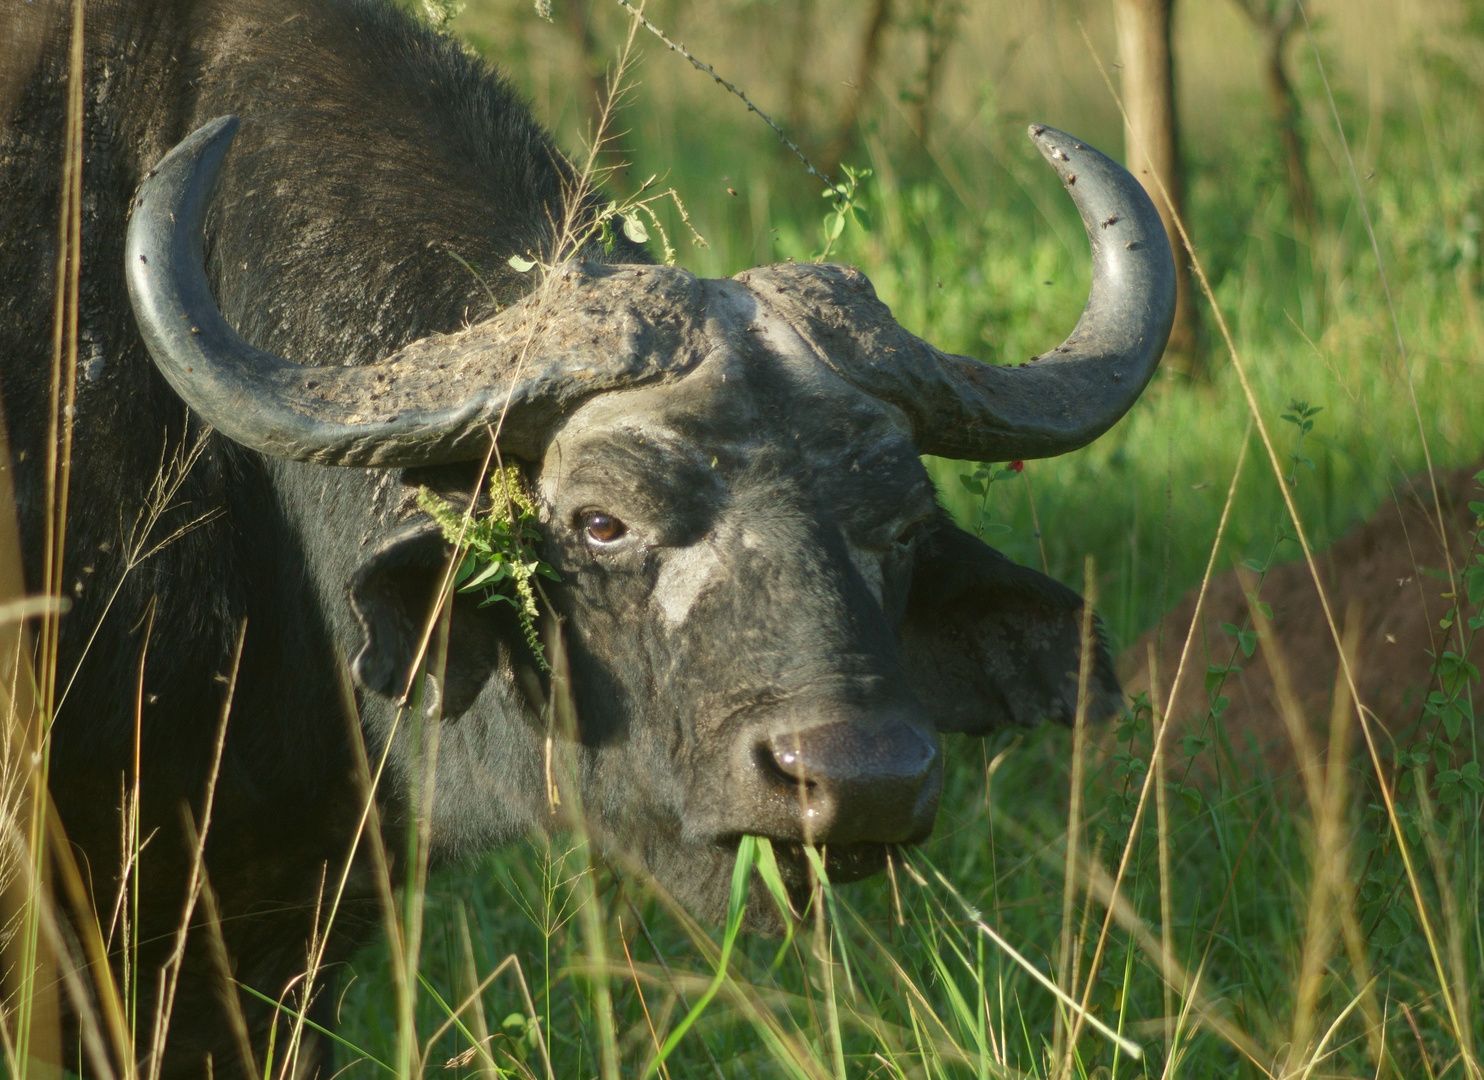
(786, 600)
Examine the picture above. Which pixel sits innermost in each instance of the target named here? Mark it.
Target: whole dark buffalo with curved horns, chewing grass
(766, 616)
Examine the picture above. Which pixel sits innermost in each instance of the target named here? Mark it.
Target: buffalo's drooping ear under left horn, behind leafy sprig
(393, 596)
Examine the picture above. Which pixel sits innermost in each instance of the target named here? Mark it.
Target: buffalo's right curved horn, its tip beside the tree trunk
(964, 409)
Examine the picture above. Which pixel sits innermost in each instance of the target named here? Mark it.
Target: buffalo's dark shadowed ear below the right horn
(989, 643)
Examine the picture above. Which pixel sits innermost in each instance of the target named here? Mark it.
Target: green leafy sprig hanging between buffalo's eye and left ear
(498, 550)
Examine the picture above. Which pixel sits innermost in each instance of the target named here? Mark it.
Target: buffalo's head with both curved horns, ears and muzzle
(766, 616)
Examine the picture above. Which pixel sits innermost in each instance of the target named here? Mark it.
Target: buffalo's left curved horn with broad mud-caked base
(587, 330)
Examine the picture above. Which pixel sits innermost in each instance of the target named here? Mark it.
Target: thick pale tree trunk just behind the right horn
(1152, 151)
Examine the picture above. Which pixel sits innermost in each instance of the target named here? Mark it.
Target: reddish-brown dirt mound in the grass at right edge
(1390, 575)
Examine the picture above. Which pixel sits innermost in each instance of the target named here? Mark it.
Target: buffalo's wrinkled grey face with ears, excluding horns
(761, 600)
